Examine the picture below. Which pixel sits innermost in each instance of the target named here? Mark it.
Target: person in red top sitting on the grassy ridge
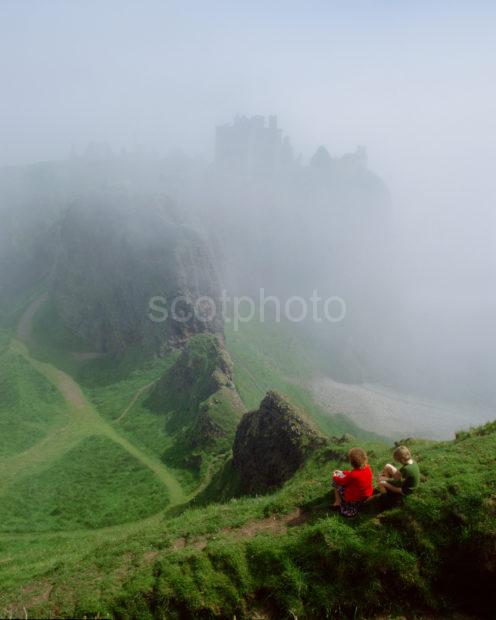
(353, 488)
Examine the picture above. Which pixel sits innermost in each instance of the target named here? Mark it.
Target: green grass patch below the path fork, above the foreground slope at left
(95, 484)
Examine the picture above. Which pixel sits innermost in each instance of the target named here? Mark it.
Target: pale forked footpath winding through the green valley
(83, 418)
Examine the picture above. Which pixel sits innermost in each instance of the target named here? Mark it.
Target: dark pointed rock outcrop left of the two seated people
(272, 443)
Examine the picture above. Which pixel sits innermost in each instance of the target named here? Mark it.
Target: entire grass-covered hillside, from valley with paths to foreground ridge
(98, 519)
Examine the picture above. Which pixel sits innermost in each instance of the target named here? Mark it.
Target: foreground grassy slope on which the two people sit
(284, 554)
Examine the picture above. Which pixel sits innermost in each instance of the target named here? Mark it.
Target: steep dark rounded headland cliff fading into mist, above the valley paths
(113, 257)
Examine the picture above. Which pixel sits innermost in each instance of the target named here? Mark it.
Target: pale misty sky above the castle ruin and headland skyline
(411, 80)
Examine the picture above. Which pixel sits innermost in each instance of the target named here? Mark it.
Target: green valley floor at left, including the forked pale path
(63, 465)
